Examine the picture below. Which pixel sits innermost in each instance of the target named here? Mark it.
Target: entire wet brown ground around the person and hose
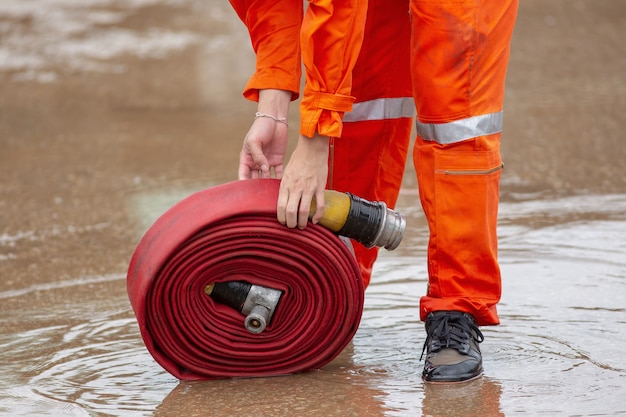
(112, 111)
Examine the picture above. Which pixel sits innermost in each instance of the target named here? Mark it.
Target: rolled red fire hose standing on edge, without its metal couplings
(230, 233)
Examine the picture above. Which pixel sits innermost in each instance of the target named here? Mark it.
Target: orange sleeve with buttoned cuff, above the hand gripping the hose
(331, 37)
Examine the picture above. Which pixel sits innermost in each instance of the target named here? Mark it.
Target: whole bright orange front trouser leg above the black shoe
(459, 58)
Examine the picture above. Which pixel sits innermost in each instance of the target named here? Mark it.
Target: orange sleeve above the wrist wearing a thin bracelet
(274, 28)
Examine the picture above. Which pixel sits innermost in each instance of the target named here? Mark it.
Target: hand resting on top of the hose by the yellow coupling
(304, 179)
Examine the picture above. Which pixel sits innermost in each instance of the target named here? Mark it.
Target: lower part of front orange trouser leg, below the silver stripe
(458, 187)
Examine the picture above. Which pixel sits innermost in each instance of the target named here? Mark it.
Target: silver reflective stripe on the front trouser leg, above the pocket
(460, 130)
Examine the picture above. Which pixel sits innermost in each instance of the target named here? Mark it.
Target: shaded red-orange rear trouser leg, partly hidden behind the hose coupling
(369, 158)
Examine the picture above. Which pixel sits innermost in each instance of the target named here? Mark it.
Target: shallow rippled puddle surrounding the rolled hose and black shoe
(558, 350)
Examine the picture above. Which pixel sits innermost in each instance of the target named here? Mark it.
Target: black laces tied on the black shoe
(451, 330)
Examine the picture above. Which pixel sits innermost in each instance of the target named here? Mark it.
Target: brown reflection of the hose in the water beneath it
(335, 391)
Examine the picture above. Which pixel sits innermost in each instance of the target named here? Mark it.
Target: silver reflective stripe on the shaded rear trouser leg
(380, 109)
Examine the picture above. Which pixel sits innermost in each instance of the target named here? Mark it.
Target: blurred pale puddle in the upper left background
(40, 37)
